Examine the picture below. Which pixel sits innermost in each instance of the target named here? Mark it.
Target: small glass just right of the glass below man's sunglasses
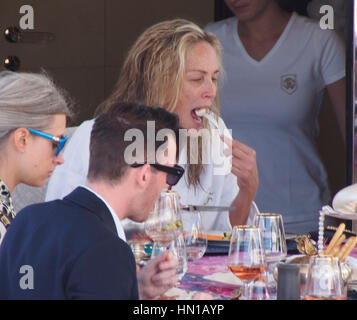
(194, 236)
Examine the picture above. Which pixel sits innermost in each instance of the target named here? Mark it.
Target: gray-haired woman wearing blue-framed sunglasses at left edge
(33, 115)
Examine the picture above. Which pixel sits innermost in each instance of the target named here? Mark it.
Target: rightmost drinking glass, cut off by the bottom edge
(324, 279)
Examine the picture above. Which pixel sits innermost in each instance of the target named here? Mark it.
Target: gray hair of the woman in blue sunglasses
(29, 100)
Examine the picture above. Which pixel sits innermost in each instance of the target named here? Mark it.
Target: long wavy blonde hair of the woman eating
(154, 70)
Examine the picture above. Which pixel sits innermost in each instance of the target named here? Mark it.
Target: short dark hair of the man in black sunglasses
(107, 145)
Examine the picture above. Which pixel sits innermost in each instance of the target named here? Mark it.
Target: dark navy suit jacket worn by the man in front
(74, 251)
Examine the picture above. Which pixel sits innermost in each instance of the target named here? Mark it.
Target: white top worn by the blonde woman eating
(217, 189)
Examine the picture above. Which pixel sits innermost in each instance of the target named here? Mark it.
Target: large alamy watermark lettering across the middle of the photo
(188, 139)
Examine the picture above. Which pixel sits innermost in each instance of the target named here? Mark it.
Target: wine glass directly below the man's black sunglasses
(164, 223)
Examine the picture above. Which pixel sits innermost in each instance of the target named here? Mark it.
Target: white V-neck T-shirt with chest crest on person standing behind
(273, 106)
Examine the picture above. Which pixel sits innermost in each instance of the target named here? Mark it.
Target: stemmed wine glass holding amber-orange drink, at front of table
(246, 258)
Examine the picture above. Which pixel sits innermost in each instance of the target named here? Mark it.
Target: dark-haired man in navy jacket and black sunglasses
(75, 248)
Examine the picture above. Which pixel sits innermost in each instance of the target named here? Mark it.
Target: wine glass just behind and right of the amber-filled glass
(274, 242)
